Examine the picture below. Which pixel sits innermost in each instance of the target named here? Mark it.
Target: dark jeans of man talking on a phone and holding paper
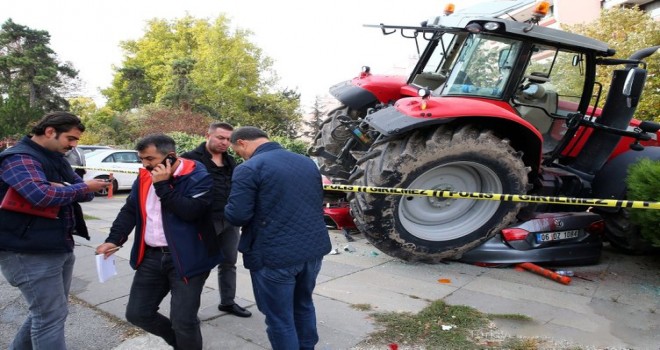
(155, 277)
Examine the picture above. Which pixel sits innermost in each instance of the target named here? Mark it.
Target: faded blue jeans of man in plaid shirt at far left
(44, 281)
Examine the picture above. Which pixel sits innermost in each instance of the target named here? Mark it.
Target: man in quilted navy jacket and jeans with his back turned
(277, 197)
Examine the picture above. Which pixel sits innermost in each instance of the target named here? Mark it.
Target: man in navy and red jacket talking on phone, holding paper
(168, 207)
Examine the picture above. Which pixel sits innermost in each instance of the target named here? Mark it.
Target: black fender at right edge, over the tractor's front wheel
(610, 181)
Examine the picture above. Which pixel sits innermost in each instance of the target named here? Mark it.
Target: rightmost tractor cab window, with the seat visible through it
(551, 88)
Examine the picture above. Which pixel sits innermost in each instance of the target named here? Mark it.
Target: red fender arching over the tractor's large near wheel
(497, 116)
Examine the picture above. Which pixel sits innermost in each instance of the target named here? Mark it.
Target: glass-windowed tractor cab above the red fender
(543, 82)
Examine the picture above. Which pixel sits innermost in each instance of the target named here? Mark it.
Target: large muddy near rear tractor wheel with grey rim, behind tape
(431, 229)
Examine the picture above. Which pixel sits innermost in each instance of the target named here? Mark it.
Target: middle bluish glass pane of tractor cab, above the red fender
(483, 67)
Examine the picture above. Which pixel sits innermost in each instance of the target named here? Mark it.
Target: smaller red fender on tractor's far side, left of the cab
(363, 91)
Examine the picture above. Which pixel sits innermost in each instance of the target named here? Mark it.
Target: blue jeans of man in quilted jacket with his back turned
(284, 296)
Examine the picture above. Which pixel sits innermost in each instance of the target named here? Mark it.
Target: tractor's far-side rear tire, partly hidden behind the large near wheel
(331, 138)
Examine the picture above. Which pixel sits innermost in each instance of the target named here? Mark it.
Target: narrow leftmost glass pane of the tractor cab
(440, 53)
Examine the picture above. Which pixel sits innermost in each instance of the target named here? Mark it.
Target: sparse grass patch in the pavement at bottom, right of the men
(425, 328)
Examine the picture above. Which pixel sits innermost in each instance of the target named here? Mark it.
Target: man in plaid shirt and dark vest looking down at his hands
(36, 253)
